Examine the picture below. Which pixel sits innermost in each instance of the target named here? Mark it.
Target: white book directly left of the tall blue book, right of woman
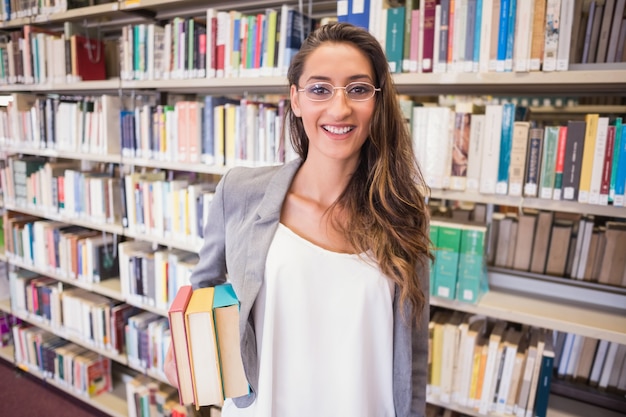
(491, 149)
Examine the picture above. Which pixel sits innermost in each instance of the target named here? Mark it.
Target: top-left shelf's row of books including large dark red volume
(214, 44)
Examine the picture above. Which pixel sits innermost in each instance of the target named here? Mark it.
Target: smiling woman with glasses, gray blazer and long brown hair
(328, 254)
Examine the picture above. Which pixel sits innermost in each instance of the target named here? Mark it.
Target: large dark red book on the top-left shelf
(87, 58)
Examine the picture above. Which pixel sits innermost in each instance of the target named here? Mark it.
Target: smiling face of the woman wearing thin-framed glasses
(336, 128)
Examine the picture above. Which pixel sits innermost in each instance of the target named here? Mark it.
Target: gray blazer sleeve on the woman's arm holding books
(211, 268)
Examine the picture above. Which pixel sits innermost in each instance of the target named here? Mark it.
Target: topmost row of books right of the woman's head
(491, 35)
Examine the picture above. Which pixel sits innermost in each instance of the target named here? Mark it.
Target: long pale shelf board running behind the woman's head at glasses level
(594, 82)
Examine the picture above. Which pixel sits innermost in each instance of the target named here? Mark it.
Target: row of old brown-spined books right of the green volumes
(584, 248)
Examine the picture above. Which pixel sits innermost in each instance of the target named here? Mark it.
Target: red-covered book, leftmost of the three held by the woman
(176, 315)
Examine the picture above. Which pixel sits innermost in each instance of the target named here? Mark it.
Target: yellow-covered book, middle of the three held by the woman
(205, 369)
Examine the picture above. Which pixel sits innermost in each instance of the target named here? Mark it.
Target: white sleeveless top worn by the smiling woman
(324, 328)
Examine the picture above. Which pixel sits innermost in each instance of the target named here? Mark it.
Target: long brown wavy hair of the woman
(386, 211)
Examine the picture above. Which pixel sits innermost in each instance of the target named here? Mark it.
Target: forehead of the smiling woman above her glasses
(337, 61)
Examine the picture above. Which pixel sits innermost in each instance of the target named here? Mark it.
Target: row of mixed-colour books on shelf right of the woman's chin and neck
(495, 150)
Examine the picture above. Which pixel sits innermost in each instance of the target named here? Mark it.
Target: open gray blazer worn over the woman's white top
(243, 218)
